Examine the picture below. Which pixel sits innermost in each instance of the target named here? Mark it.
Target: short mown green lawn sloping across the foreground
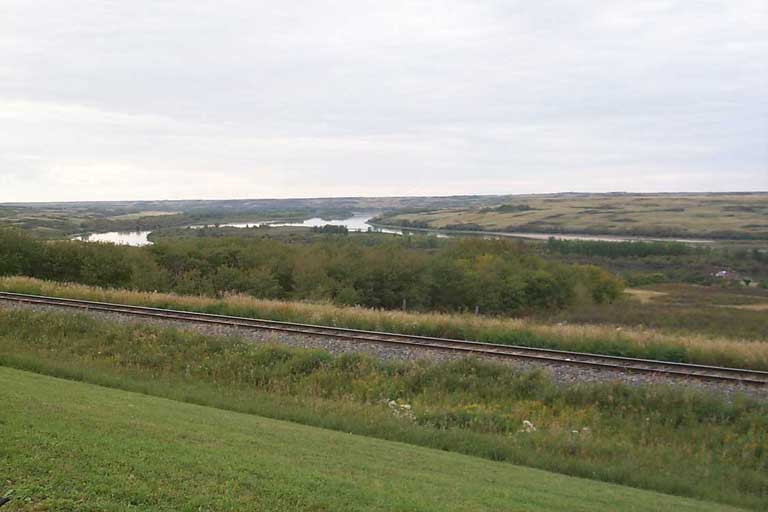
(74, 446)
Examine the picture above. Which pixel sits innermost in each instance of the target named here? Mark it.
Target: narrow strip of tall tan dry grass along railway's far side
(606, 339)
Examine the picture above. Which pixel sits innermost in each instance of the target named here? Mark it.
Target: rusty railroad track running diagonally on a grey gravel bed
(544, 356)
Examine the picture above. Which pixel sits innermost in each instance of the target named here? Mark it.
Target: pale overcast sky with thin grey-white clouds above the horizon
(184, 99)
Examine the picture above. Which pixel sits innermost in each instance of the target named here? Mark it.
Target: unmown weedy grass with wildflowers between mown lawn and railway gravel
(663, 439)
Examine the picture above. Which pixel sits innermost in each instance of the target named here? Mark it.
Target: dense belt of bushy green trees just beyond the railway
(490, 276)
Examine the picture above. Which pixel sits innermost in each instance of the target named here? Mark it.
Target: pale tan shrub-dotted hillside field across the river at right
(739, 216)
